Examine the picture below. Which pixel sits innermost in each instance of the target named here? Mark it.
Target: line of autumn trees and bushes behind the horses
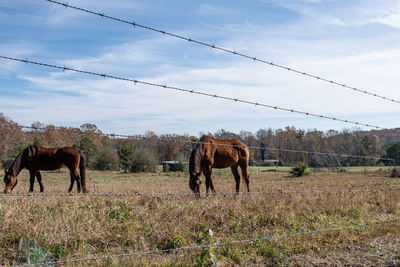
(106, 152)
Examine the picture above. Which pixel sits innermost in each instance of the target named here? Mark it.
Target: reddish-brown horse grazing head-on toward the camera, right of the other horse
(212, 153)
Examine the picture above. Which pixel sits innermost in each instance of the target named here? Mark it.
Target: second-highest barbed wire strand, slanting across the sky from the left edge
(104, 75)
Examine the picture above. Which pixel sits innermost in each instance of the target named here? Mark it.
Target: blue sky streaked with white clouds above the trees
(352, 42)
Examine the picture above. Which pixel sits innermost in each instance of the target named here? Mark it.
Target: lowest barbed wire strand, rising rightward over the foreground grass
(218, 244)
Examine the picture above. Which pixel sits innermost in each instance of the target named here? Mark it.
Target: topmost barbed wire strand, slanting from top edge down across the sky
(226, 50)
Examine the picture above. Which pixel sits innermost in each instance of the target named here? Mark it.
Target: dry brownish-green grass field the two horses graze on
(83, 226)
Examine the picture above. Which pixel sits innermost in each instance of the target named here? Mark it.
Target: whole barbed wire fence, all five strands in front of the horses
(250, 240)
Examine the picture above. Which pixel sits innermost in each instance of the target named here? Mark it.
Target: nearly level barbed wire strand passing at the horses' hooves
(176, 194)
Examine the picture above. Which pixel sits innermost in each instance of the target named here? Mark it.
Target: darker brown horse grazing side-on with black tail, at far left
(35, 159)
